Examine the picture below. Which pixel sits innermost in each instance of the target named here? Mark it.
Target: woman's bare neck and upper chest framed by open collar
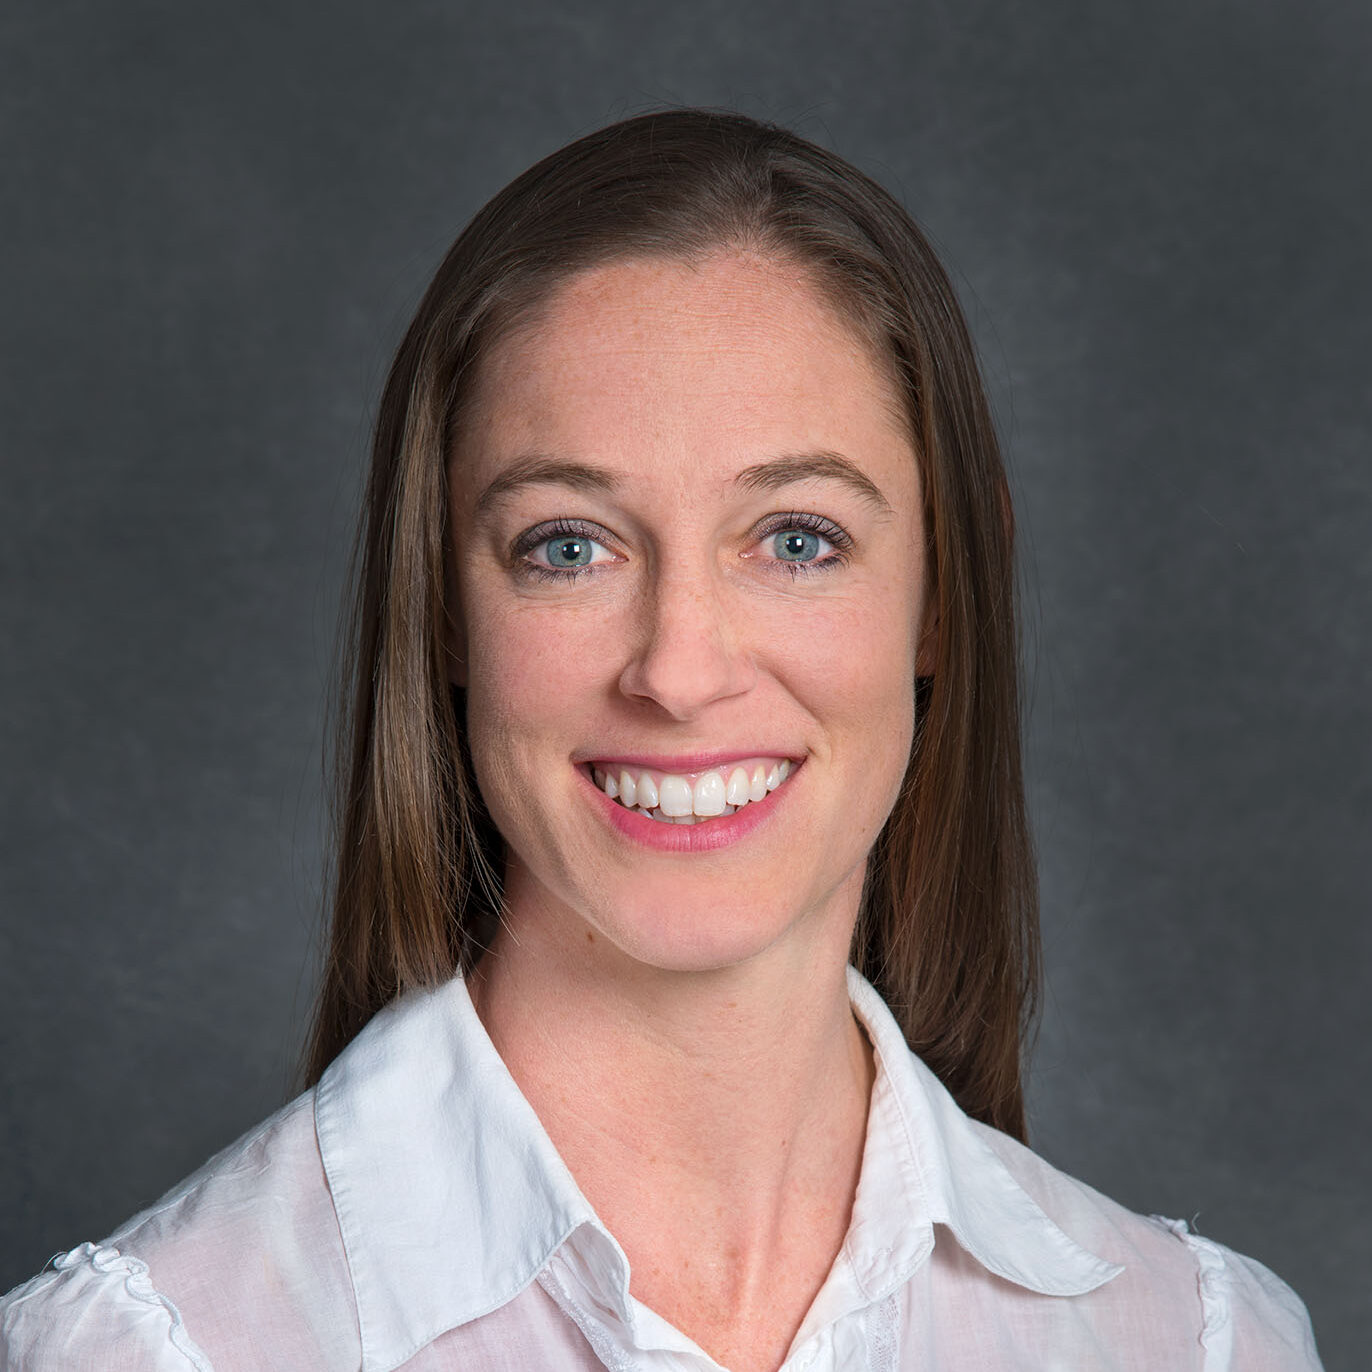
(718, 1115)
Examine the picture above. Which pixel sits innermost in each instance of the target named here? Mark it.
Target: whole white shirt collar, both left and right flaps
(451, 1197)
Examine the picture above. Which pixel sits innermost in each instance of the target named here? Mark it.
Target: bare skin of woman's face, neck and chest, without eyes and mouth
(680, 1021)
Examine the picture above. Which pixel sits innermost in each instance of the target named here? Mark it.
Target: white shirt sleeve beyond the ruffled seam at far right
(1252, 1321)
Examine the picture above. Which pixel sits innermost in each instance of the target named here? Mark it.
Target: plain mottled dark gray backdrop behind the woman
(217, 220)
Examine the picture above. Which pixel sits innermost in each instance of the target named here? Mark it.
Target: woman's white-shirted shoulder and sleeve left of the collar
(237, 1266)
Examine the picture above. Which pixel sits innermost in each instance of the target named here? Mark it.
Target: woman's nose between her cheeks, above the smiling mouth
(689, 650)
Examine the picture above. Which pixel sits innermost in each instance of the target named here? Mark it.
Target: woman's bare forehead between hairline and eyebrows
(684, 367)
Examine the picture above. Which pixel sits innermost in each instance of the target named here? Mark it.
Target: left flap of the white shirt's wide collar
(449, 1194)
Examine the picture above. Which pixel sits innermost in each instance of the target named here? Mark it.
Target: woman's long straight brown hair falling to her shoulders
(949, 923)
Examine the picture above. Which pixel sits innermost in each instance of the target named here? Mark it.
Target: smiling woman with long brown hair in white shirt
(685, 677)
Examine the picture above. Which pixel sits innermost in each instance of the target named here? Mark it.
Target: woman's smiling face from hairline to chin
(691, 577)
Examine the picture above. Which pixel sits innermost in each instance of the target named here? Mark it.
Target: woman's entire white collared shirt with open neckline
(411, 1212)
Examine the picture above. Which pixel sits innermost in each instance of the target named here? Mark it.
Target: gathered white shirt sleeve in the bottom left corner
(94, 1310)
